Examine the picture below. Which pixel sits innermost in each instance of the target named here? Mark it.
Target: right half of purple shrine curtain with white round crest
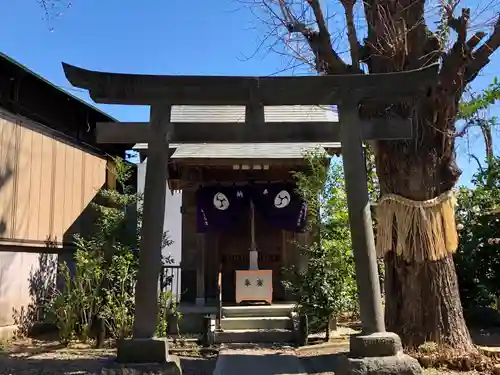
(280, 204)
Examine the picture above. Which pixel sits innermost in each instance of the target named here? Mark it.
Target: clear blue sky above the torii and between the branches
(157, 37)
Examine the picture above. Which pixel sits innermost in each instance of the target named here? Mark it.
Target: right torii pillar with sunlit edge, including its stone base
(374, 351)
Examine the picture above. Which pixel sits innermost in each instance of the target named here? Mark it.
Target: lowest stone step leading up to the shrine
(254, 336)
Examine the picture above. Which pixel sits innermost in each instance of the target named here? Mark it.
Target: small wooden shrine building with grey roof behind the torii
(204, 254)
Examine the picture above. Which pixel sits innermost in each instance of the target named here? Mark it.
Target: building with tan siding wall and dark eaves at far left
(50, 170)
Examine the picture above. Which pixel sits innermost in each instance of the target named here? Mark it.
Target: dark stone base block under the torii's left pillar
(147, 351)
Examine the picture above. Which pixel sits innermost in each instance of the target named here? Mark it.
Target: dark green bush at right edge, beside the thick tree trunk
(478, 257)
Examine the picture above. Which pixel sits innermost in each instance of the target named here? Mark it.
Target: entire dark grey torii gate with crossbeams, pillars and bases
(346, 91)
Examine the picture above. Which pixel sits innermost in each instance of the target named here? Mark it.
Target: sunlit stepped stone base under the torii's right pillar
(378, 353)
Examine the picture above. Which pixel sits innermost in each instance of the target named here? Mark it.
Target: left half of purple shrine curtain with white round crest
(219, 207)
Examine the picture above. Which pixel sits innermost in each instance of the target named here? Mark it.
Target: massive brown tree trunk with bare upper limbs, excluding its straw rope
(422, 299)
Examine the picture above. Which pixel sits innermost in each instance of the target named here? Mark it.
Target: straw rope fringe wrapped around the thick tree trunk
(417, 230)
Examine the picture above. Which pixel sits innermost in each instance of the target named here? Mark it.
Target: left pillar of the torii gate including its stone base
(144, 347)
